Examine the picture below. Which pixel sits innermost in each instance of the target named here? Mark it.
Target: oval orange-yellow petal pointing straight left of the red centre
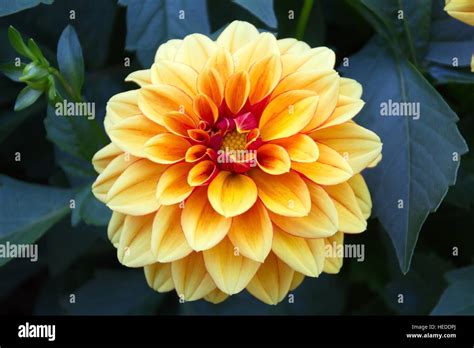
(166, 148)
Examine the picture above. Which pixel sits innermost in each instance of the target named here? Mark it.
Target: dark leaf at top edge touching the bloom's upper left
(153, 22)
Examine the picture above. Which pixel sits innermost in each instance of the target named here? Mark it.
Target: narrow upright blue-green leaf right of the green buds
(70, 61)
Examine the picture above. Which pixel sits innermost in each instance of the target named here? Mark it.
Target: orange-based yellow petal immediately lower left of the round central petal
(202, 225)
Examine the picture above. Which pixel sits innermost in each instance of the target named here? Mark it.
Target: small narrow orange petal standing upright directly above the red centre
(237, 91)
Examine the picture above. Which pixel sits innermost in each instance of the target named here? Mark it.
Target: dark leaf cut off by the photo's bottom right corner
(458, 298)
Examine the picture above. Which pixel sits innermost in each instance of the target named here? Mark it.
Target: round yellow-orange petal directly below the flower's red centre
(232, 194)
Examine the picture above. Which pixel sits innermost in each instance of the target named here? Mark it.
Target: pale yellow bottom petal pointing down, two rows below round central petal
(230, 271)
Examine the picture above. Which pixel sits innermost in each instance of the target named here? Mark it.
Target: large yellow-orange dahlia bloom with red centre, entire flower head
(235, 165)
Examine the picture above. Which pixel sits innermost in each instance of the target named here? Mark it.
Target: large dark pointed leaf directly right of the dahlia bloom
(419, 155)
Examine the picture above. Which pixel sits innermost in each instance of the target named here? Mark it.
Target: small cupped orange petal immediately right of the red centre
(273, 159)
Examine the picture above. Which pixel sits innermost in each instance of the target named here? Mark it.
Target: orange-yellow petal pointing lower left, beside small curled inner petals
(172, 187)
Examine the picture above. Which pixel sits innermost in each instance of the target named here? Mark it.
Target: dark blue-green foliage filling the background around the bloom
(388, 56)
